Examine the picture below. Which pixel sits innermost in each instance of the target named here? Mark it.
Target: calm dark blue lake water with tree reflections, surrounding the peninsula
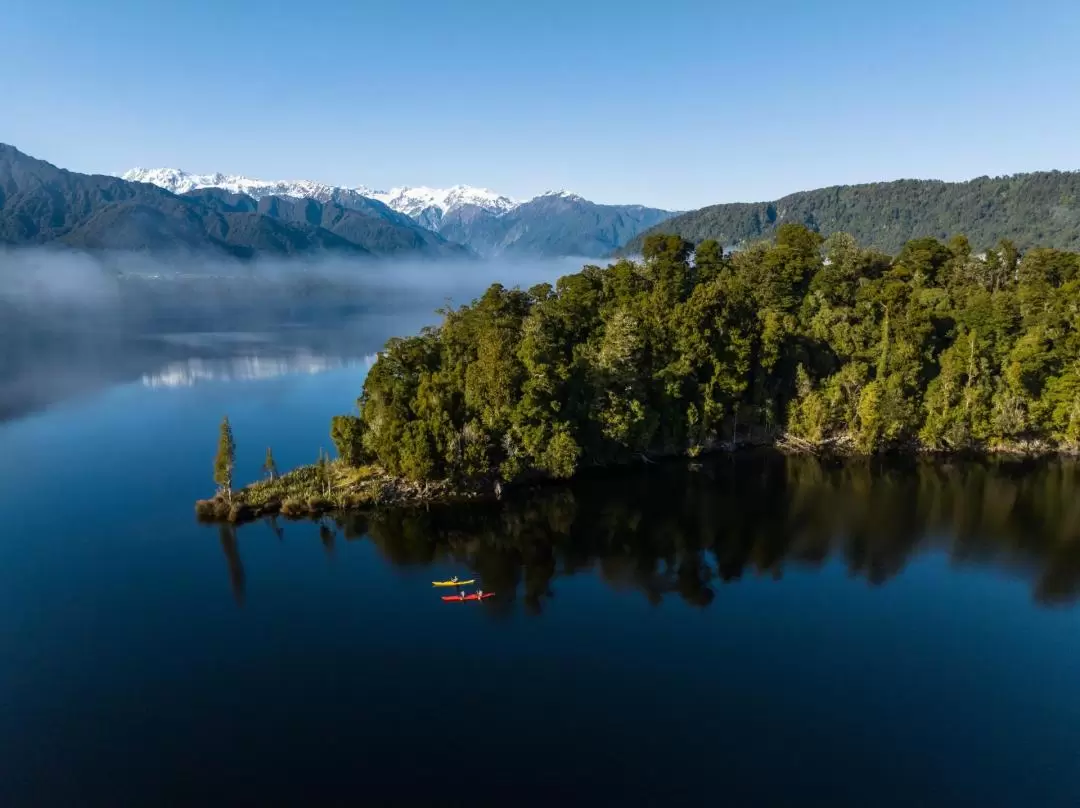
(752, 632)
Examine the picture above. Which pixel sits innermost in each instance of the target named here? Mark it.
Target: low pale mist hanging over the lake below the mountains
(75, 322)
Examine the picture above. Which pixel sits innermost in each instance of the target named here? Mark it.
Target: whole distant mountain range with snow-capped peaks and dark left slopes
(170, 211)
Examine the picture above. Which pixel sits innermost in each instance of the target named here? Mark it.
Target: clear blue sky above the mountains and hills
(673, 104)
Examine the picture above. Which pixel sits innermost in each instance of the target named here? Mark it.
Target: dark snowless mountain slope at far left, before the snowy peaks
(42, 204)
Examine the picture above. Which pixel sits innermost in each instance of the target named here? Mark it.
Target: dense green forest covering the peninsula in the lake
(819, 344)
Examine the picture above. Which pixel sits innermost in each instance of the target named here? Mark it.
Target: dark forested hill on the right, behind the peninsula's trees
(1033, 210)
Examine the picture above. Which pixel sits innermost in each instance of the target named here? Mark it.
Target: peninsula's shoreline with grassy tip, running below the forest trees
(310, 493)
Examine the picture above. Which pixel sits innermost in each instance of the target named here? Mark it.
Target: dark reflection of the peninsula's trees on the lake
(673, 531)
